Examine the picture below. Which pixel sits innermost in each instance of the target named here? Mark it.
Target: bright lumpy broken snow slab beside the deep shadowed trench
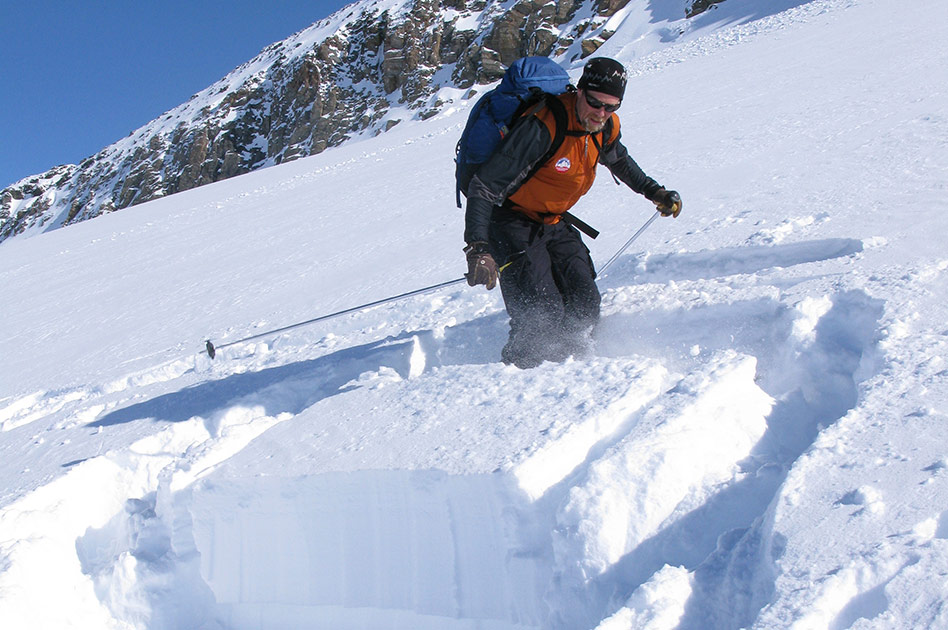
(676, 458)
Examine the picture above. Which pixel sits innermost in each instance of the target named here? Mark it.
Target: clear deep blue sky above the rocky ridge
(77, 75)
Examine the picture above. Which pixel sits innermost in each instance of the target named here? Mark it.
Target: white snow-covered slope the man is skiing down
(759, 440)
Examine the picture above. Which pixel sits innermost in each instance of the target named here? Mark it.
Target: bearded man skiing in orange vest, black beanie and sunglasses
(514, 220)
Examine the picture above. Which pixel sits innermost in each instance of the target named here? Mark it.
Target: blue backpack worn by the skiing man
(527, 82)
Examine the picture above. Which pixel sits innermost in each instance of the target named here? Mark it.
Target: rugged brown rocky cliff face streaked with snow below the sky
(360, 71)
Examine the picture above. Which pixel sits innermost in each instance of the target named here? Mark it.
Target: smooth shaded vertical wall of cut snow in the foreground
(322, 551)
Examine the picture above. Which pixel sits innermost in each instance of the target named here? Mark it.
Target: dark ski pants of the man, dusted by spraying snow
(549, 287)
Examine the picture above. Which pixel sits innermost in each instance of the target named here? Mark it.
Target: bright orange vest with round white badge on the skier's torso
(568, 175)
